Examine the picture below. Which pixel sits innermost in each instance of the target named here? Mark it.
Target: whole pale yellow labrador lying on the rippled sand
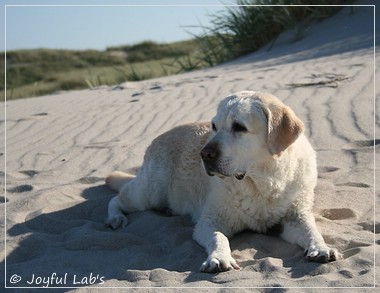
(251, 168)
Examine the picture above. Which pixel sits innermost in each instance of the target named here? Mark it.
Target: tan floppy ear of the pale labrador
(284, 127)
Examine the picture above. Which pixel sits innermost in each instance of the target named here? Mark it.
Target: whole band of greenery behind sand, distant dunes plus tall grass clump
(237, 31)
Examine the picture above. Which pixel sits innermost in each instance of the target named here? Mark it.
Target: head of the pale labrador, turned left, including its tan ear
(248, 128)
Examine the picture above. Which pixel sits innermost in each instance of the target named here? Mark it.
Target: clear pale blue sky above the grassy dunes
(98, 24)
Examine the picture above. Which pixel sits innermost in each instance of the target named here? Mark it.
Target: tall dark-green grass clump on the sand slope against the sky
(243, 29)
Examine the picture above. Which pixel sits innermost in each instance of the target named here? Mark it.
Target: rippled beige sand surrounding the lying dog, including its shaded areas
(60, 148)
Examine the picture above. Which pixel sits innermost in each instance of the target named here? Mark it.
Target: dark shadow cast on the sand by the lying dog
(74, 240)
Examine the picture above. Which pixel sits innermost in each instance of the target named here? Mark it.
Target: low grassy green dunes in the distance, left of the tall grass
(43, 71)
